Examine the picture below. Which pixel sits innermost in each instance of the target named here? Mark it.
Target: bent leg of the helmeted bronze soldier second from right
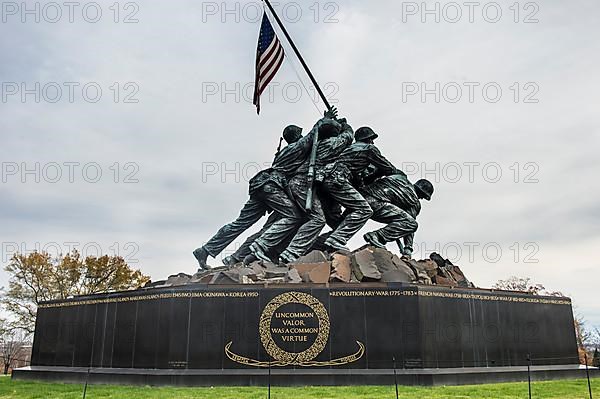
(356, 215)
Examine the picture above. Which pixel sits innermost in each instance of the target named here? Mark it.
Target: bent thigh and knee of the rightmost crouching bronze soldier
(398, 223)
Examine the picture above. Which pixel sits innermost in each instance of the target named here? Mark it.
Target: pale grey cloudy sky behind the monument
(129, 128)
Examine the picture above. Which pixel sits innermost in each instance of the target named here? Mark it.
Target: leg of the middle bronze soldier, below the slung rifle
(308, 232)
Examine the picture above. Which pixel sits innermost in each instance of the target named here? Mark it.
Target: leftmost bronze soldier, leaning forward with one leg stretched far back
(267, 193)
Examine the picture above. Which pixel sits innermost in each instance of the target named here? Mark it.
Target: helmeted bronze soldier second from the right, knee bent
(340, 178)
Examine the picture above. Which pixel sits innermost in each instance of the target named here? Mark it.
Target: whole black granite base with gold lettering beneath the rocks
(324, 335)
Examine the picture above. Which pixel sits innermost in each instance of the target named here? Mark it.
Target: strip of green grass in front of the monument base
(568, 389)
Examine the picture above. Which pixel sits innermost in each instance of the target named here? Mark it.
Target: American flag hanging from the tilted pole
(269, 56)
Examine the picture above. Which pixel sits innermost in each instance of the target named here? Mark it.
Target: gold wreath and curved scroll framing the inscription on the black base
(284, 358)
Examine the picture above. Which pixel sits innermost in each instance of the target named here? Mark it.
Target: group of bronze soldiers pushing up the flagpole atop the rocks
(353, 176)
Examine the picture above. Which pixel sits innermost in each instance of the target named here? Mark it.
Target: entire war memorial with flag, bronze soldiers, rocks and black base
(292, 304)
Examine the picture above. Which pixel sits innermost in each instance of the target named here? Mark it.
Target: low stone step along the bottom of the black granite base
(308, 377)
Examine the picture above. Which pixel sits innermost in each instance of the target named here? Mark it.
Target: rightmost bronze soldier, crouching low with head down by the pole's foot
(395, 202)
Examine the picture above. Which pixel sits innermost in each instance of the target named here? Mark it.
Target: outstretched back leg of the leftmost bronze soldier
(250, 214)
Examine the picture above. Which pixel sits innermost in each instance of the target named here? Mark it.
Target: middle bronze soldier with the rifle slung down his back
(334, 137)
